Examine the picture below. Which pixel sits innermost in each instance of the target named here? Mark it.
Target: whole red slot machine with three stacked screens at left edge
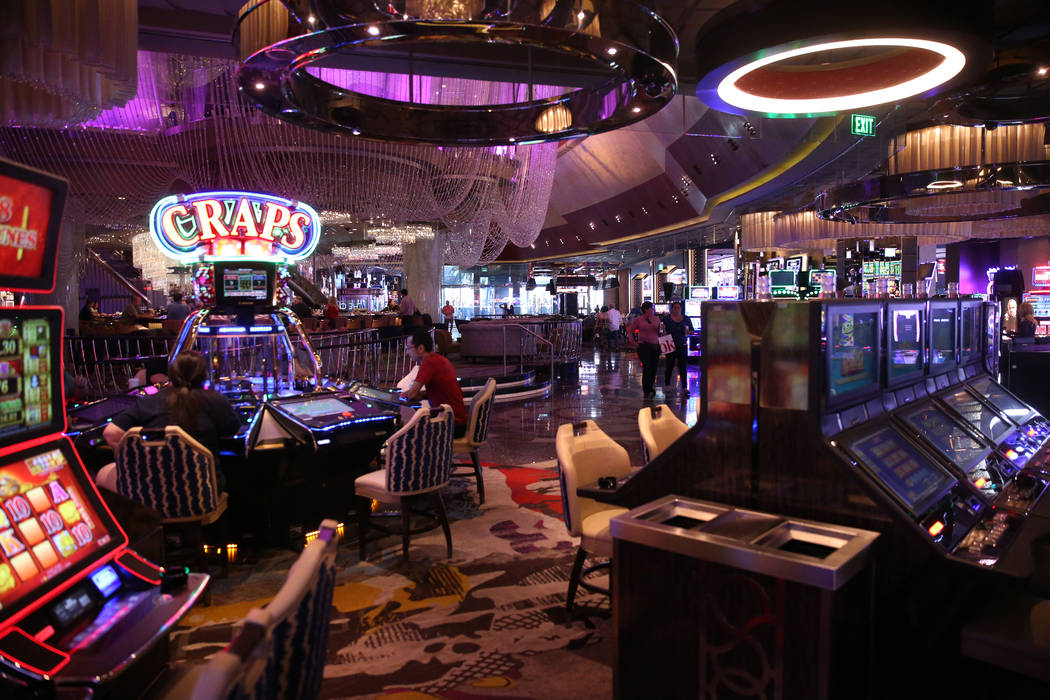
(81, 613)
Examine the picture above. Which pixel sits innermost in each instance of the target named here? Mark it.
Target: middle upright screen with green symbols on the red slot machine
(31, 374)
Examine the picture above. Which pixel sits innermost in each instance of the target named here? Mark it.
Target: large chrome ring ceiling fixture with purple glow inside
(620, 62)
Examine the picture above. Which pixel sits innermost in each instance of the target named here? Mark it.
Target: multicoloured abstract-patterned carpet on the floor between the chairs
(491, 623)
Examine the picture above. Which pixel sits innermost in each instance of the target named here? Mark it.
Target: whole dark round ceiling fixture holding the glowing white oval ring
(779, 62)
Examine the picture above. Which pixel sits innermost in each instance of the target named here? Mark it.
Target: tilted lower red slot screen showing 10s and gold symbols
(53, 524)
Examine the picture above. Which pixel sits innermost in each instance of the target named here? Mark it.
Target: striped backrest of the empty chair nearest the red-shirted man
(419, 457)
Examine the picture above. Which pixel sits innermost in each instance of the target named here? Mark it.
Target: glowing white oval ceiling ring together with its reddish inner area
(831, 76)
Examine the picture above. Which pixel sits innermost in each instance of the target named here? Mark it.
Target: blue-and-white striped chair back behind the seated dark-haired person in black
(167, 471)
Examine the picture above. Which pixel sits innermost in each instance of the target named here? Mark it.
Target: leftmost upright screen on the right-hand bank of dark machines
(853, 351)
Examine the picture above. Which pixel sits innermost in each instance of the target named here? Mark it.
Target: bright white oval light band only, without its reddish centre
(949, 69)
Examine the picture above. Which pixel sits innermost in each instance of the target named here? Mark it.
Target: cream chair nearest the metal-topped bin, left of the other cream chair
(585, 454)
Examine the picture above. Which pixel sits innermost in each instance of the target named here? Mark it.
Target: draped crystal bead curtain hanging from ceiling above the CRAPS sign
(187, 130)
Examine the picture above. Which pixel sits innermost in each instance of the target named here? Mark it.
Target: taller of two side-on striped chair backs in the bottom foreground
(300, 614)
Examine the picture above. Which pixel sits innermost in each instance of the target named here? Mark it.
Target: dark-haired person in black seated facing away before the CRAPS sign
(205, 415)
